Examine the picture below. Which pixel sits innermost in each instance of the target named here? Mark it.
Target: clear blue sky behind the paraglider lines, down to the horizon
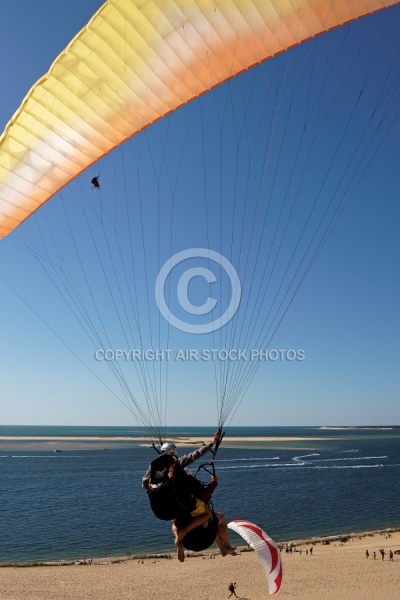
(345, 314)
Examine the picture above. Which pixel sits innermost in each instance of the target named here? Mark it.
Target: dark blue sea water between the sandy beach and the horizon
(88, 502)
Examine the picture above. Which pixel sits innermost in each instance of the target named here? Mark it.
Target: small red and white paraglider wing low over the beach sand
(266, 549)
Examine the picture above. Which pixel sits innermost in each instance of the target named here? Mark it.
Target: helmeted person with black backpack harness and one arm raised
(172, 492)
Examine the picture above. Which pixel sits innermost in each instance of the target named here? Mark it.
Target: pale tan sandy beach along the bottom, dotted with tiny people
(331, 572)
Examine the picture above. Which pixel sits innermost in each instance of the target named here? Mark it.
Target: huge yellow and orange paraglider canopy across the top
(133, 64)
